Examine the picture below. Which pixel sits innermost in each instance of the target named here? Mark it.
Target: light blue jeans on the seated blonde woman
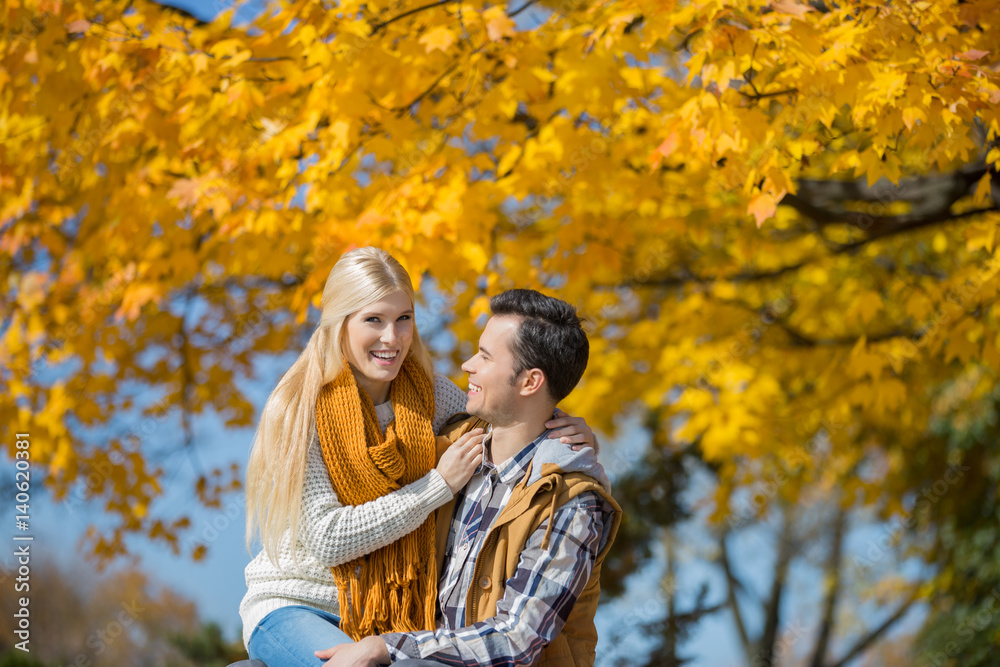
(287, 637)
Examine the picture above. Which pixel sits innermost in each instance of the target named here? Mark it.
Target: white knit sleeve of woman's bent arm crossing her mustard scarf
(335, 534)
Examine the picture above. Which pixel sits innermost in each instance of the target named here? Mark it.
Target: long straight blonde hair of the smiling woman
(287, 425)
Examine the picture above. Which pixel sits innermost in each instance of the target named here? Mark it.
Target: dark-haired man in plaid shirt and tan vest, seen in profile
(522, 554)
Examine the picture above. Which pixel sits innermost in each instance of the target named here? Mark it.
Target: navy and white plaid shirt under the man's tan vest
(537, 599)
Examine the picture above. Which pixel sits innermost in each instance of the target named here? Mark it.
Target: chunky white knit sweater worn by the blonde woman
(331, 534)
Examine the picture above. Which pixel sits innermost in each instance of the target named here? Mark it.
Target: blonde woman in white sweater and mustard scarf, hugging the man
(342, 479)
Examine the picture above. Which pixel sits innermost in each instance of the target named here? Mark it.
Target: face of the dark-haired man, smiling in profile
(492, 393)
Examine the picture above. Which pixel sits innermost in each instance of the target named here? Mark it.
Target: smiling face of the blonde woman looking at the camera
(376, 341)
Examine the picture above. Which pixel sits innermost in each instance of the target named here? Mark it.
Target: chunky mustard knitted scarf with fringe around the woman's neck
(392, 589)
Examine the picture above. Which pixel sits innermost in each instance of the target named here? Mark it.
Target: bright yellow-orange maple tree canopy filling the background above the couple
(781, 217)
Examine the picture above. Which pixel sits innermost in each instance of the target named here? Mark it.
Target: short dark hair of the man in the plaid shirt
(550, 338)
